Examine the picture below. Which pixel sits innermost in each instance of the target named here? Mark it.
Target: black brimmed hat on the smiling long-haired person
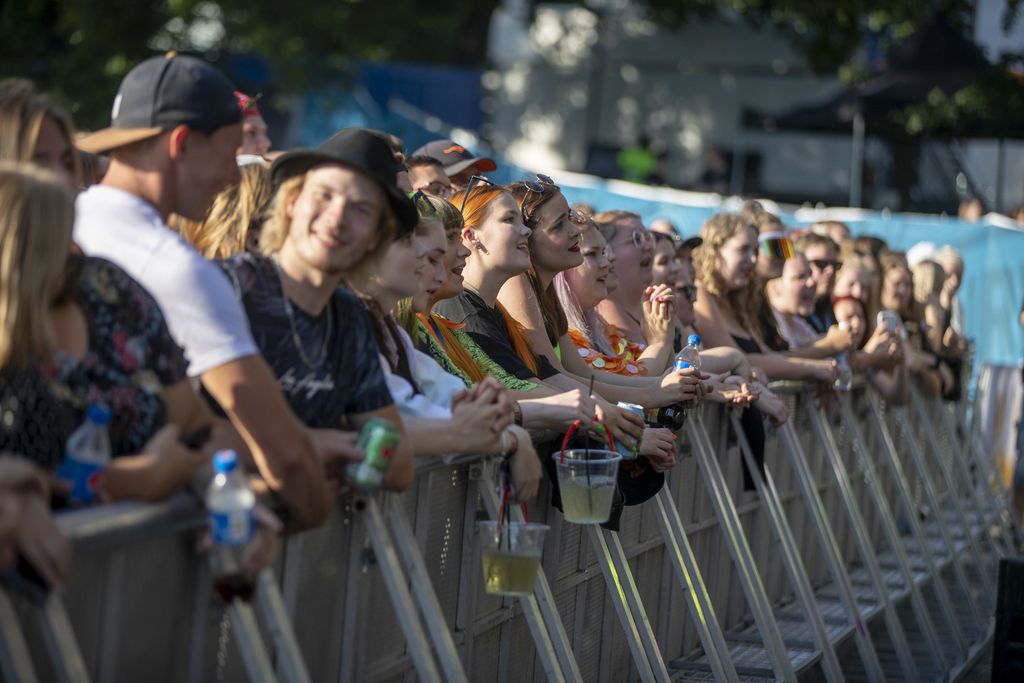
(361, 151)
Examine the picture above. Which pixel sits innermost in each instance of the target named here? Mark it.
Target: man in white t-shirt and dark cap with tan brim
(176, 127)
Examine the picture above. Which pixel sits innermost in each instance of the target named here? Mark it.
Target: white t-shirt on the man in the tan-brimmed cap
(203, 314)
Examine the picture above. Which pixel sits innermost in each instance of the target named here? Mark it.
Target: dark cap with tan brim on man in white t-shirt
(161, 94)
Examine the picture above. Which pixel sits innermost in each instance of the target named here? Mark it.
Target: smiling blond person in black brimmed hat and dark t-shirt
(336, 209)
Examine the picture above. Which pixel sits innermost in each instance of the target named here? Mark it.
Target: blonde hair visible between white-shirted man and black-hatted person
(235, 217)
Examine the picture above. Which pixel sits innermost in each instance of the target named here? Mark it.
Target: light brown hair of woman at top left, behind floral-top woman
(23, 110)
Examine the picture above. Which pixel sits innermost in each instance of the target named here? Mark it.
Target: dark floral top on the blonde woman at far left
(131, 358)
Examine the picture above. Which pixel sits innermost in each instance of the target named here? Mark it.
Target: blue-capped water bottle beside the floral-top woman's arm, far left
(87, 456)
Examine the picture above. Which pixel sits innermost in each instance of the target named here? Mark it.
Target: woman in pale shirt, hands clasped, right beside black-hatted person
(441, 415)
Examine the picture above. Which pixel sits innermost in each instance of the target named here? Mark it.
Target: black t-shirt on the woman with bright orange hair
(487, 327)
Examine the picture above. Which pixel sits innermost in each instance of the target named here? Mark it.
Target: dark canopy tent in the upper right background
(937, 58)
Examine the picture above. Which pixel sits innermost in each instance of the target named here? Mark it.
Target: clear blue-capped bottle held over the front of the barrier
(230, 505)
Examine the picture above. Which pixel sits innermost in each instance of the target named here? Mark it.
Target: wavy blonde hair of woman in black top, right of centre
(716, 232)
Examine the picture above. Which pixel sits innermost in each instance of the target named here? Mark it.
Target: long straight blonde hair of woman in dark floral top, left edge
(35, 243)
